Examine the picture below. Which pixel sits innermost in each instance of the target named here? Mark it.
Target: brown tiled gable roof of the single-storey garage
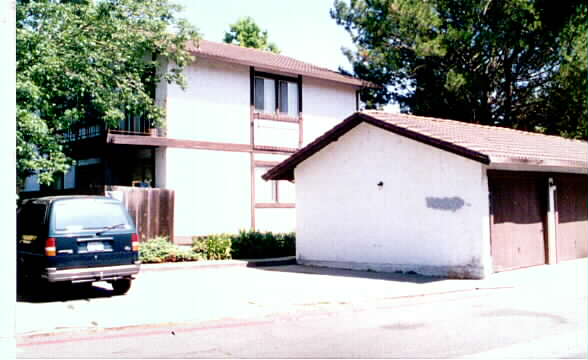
(491, 145)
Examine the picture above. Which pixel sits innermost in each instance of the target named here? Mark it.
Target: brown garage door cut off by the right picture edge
(572, 217)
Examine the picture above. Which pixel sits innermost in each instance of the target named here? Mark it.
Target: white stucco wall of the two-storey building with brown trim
(212, 188)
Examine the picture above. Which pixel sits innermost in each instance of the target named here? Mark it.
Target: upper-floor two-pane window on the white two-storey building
(276, 96)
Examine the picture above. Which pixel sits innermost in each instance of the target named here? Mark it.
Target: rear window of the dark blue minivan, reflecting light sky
(88, 214)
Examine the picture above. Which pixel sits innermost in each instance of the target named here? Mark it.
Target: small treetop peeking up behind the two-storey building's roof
(245, 32)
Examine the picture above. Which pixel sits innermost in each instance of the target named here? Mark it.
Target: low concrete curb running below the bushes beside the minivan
(204, 264)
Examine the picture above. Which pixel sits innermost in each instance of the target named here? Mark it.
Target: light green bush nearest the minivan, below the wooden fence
(159, 249)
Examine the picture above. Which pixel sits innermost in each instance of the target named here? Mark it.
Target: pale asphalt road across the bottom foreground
(500, 322)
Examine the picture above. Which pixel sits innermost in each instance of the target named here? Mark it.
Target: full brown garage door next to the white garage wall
(517, 220)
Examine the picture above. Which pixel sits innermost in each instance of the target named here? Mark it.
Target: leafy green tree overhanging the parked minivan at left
(89, 62)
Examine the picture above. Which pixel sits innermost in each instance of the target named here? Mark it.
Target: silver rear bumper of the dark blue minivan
(91, 274)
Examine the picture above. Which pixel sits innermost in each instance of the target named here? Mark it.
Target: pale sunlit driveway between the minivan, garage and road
(167, 294)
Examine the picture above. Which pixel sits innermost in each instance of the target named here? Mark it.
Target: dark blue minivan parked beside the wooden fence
(77, 239)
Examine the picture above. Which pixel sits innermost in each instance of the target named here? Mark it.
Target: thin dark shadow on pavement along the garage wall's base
(409, 277)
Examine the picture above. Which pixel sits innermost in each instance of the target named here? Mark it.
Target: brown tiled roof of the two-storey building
(267, 60)
